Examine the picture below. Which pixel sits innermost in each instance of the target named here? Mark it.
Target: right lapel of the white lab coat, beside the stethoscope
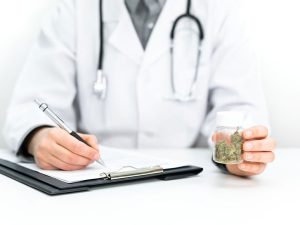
(159, 41)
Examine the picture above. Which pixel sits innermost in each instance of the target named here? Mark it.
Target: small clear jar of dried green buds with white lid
(228, 141)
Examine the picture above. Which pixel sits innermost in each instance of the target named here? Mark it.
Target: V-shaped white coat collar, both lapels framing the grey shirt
(125, 39)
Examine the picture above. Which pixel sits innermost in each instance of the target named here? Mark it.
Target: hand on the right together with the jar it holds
(244, 152)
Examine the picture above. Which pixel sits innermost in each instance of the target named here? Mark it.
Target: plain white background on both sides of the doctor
(274, 27)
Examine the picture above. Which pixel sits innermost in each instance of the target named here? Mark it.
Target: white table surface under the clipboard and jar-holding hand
(210, 198)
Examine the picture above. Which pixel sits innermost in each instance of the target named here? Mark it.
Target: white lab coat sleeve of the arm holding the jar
(235, 83)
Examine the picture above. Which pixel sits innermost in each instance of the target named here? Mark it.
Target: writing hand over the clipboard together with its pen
(54, 148)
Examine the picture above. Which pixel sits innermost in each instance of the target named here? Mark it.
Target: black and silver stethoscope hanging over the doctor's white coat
(101, 84)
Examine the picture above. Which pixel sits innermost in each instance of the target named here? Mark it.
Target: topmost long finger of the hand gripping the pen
(69, 142)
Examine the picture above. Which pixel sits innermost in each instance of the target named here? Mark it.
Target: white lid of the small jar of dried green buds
(230, 119)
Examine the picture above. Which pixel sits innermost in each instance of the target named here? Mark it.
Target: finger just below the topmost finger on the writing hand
(69, 157)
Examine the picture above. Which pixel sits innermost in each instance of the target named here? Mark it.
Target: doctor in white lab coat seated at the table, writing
(134, 92)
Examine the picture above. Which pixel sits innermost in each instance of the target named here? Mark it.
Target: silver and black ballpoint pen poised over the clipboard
(55, 118)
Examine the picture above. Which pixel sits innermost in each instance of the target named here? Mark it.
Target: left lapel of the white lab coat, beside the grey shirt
(124, 38)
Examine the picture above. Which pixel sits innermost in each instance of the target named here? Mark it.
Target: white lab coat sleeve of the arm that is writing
(49, 74)
